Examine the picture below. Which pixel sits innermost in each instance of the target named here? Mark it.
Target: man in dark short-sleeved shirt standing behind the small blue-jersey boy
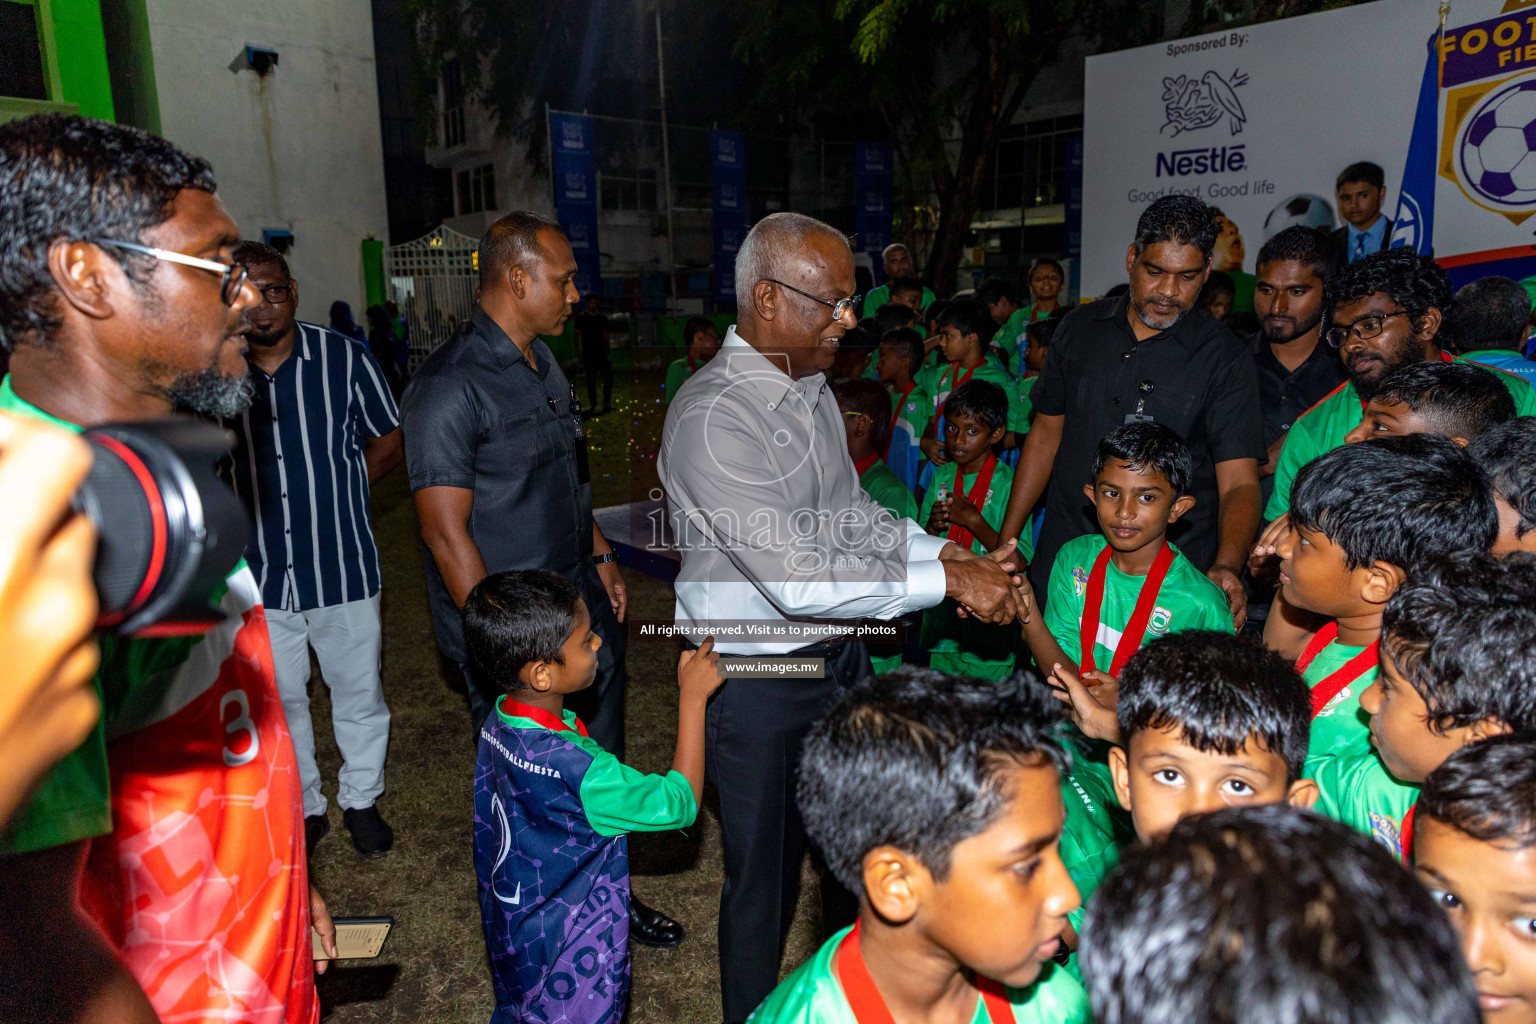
(498, 466)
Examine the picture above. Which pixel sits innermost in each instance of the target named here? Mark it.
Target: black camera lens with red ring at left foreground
(170, 529)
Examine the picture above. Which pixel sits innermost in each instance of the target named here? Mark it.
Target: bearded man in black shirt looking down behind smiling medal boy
(1150, 355)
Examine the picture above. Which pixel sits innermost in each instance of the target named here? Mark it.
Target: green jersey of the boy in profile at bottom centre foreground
(815, 996)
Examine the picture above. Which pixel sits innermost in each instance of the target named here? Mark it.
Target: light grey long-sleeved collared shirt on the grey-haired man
(769, 514)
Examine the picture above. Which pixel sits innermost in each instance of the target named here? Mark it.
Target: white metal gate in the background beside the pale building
(434, 280)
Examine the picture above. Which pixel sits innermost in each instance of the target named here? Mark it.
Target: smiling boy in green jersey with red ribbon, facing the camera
(1128, 583)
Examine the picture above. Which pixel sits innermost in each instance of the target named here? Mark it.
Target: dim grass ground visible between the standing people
(434, 966)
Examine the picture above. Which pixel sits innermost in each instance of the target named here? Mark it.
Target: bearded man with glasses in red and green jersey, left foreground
(121, 300)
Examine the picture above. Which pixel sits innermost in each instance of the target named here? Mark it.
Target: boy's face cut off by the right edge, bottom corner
(1475, 851)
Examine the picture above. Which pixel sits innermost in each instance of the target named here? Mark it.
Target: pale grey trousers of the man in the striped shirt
(346, 639)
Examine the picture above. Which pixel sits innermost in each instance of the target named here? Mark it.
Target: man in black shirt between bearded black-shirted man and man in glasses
(1294, 371)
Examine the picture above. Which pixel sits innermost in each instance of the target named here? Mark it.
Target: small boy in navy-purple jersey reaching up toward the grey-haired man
(552, 808)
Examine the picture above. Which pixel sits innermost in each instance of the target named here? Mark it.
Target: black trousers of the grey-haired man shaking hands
(755, 728)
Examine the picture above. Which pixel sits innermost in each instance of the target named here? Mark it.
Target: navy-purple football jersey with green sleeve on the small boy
(552, 810)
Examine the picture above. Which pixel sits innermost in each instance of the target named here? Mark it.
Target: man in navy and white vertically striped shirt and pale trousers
(320, 431)
